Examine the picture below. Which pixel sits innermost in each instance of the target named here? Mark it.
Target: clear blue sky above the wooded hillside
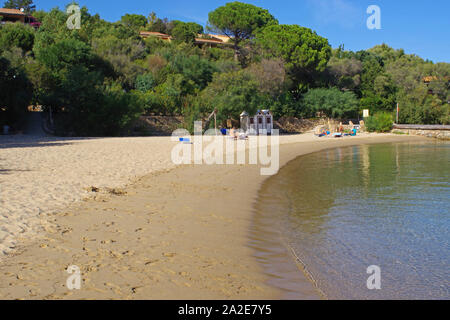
(418, 26)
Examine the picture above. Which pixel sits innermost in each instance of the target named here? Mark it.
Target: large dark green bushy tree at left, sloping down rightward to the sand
(86, 101)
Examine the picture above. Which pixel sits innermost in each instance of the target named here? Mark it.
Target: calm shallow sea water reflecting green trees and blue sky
(342, 210)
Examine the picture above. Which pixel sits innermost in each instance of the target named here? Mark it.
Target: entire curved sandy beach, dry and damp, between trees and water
(138, 226)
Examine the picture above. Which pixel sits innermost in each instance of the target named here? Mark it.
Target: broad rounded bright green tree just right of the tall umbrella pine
(305, 53)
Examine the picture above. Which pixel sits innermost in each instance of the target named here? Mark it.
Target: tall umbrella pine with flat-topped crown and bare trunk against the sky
(239, 21)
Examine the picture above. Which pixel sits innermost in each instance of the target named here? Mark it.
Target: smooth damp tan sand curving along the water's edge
(178, 245)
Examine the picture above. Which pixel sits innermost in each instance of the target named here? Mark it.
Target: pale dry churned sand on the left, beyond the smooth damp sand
(40, 175)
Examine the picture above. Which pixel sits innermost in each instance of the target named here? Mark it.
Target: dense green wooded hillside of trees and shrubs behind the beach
(99, 79)
